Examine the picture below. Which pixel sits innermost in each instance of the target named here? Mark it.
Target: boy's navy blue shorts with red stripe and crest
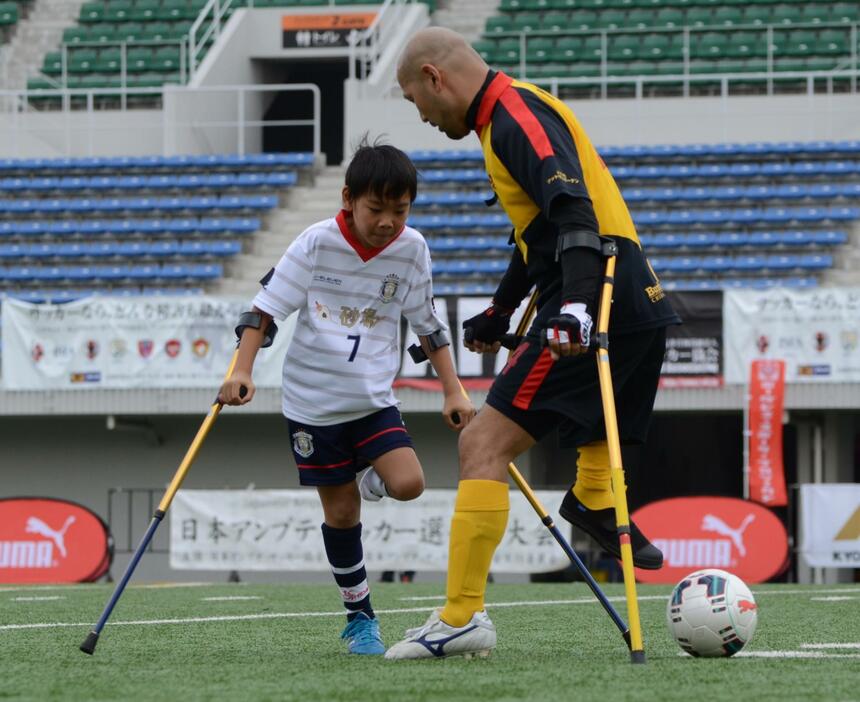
(333, 454)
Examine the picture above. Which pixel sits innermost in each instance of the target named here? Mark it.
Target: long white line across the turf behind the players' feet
(339, 613)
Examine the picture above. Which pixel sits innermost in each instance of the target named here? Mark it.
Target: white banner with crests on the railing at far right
(816, 332)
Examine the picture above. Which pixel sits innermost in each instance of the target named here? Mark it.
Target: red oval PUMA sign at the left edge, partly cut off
(43, 540)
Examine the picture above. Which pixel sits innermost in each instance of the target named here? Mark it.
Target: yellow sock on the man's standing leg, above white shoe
(477, 527)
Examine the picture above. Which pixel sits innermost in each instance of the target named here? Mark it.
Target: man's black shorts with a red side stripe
(540, 395)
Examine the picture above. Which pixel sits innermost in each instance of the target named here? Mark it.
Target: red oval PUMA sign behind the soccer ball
(741, 537)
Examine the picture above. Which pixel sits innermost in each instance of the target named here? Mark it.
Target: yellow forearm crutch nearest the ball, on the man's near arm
(619, 489)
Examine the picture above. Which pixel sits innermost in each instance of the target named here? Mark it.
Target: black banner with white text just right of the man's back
(694, 350)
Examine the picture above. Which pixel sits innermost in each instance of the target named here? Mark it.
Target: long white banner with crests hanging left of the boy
(140, 342)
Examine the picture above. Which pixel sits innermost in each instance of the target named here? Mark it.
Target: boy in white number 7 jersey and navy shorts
(351, 278)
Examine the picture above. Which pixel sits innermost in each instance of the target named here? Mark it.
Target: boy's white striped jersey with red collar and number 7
(345, 350)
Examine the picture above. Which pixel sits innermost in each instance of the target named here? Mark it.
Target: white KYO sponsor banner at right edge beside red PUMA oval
(830, 515)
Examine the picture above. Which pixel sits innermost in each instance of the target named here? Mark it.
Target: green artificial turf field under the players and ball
(281, 642)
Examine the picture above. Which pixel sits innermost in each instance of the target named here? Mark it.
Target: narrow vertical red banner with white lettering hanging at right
(767, 390)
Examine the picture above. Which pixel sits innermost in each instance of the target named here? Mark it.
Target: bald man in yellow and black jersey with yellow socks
(560, 198)
